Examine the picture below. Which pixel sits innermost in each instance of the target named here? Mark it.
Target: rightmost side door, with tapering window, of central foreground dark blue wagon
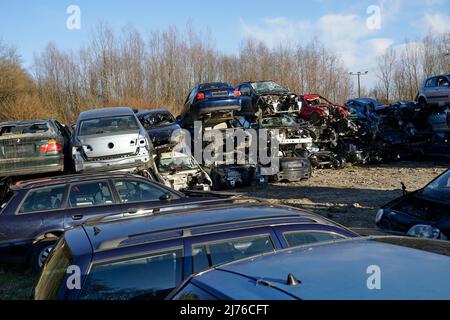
(303, 234)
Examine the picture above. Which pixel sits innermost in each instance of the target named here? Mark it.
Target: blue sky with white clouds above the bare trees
(341, 25)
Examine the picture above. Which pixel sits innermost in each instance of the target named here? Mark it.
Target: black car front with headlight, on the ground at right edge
(422, 213)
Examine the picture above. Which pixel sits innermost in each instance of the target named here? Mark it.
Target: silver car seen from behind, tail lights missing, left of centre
(110, 139)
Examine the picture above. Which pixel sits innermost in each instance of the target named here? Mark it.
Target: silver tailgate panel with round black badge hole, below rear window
(107, 145)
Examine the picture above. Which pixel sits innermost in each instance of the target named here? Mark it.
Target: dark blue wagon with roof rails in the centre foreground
(148, 257)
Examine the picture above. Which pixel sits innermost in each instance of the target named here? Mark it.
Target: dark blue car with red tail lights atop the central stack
(212, 102)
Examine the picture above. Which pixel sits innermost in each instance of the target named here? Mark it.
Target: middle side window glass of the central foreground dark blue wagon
(207, 255)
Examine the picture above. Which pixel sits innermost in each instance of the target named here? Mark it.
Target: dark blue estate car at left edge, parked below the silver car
(35, 213)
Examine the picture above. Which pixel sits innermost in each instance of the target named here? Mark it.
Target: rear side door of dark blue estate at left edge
(88, 200)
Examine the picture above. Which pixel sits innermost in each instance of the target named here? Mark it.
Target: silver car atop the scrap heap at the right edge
(435, 91)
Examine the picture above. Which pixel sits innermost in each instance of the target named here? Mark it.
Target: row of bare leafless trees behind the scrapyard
(157, 71)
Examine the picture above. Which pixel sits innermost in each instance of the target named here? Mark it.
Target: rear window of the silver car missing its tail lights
(107, 125)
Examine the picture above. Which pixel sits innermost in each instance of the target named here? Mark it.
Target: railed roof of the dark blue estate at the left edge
(51, 181)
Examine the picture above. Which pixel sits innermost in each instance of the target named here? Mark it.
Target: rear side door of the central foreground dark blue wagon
(205, 251)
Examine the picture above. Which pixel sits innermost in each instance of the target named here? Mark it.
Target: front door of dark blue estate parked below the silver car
(144, 197)
